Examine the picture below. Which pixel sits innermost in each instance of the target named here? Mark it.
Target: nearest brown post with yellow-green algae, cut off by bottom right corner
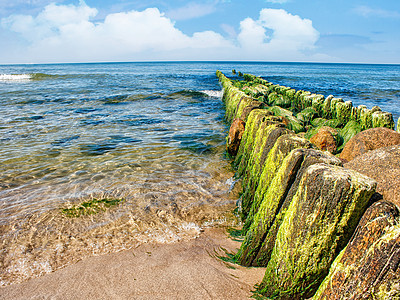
(369, 266)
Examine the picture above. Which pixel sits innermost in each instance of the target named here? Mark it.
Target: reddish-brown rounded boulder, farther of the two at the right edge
(368, 140)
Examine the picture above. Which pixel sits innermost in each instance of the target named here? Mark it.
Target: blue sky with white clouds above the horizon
(62, 31)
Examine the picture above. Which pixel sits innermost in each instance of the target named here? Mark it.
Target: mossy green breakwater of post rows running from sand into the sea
(320, 229)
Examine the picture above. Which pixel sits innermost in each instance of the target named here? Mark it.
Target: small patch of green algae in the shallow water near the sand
(90, 207)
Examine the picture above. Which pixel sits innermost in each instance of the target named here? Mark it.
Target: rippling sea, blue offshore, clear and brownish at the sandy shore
(102, 157)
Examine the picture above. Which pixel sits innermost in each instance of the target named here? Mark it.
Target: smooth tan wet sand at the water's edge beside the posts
(183, 270)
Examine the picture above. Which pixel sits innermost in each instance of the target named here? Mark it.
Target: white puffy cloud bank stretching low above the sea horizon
(68, 33)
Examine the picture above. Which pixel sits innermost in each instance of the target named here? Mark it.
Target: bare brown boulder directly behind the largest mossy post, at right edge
(383, 165)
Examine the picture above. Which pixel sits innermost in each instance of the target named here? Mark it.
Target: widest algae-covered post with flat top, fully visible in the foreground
(320, 220)
